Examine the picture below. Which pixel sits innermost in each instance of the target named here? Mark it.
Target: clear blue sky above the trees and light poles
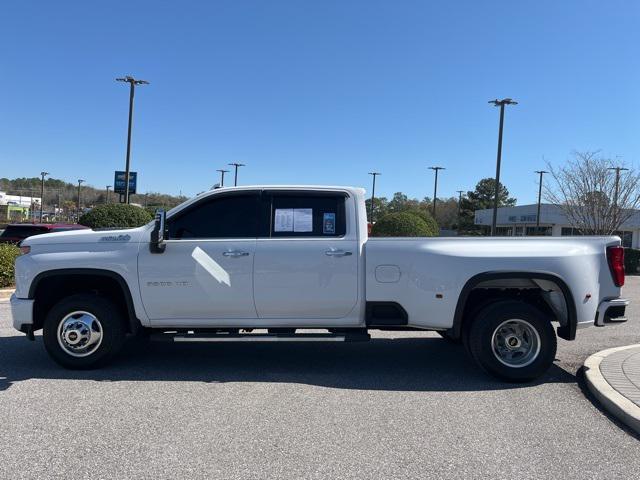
(316, 92)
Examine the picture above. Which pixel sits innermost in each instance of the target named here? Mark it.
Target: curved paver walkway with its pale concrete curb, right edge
(613, 376)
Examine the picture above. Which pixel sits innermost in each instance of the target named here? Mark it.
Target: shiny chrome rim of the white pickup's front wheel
(80, 334)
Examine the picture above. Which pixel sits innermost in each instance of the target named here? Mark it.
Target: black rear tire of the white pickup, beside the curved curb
(538, 330)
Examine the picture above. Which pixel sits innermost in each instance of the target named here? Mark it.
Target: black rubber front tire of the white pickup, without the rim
(111, 328)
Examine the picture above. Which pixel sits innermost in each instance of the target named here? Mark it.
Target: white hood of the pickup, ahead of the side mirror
(125, 235)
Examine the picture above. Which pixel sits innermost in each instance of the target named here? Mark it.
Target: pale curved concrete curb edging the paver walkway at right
(615, 403)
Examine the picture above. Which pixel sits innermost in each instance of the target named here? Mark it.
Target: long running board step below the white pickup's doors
(259, 337)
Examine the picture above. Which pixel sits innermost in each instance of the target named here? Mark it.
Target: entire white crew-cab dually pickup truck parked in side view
(262, 263)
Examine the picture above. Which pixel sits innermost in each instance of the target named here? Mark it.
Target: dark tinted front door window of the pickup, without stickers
(220, 216)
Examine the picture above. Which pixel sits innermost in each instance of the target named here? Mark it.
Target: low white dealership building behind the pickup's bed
(521, 221)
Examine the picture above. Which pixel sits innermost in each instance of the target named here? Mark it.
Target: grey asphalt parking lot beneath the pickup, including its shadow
(400, 406)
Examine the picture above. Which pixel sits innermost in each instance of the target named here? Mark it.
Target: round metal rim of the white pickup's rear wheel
(515, 343)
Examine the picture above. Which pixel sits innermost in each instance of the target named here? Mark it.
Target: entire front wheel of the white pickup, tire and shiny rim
(83, 331)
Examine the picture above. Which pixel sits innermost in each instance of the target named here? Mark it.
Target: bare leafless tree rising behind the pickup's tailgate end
(589, 194)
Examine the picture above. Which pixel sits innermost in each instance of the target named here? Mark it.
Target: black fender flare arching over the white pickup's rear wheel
(567, 332)
